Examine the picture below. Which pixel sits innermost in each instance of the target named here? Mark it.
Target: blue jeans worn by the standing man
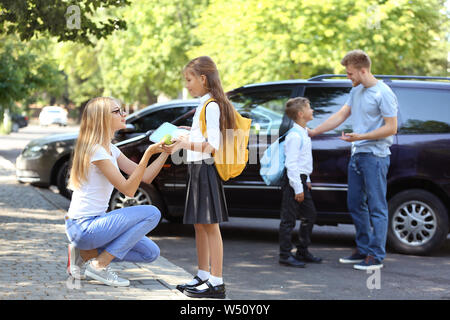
(366, 200)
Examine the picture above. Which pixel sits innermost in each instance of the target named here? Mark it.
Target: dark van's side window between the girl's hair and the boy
(265, 108)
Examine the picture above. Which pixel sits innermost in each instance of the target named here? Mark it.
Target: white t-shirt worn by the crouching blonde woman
(92, 198)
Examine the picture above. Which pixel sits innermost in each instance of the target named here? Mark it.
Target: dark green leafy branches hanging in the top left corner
(56, 18)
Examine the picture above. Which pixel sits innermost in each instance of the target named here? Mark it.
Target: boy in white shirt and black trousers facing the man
(296, 187)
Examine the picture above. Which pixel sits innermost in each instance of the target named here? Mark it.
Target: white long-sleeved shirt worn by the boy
(299, 159)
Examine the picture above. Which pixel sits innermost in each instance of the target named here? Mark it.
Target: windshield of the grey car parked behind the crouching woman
(153, 120)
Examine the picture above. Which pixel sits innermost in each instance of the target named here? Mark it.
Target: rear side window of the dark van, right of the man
(423, 110)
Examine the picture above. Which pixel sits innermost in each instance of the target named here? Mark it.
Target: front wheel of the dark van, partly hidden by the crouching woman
(145, 195)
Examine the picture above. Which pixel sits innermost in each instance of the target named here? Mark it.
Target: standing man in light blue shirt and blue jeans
(373, 107)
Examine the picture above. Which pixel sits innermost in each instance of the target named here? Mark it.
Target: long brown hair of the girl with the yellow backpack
(204, 65)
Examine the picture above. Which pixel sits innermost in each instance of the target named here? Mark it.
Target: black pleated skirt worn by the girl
(205, 198)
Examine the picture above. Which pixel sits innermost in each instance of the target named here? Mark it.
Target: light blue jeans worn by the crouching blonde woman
(120, 232)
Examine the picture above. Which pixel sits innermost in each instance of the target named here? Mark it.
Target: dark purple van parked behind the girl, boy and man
(418, 178)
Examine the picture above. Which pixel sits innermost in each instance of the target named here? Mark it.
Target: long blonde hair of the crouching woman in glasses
(95, 129)
